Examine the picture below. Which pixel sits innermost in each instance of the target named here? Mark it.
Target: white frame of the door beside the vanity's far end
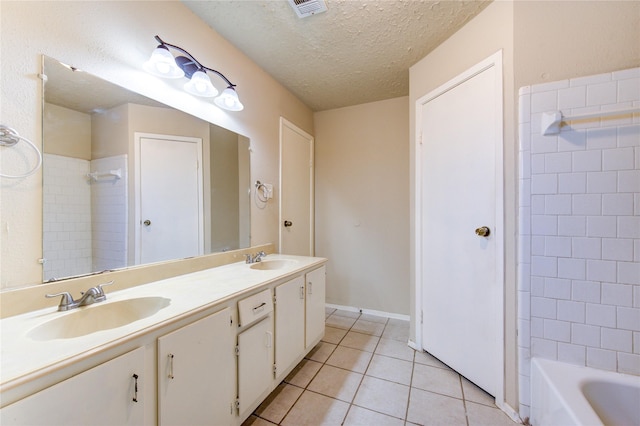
(286, 123)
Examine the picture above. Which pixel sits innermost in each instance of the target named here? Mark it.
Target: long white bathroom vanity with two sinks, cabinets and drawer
(201, 348)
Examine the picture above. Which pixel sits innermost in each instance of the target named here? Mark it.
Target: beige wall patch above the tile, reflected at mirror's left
(68, 132)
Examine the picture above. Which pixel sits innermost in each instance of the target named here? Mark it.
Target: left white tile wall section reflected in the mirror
(66, 217)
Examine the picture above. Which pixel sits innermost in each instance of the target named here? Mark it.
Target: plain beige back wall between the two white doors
(362, 204)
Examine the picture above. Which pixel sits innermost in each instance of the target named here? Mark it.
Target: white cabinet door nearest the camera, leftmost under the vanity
(108, 394)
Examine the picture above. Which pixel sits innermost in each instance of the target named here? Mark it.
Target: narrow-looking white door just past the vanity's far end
(296, 190)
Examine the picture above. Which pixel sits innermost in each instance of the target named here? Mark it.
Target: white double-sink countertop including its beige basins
(31, 344)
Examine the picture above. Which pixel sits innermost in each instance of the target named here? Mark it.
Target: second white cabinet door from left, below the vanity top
(195, 373)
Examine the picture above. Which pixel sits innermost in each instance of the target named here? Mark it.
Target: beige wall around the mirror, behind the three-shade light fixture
(112, 40)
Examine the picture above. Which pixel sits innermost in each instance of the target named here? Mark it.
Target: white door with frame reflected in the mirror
(169, 198)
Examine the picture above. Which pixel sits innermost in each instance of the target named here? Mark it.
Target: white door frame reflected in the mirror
(137, 220)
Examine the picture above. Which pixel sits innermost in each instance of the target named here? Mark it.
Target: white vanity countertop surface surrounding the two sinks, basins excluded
(21, 356)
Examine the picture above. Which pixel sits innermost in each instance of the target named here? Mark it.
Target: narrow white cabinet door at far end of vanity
(315, 283)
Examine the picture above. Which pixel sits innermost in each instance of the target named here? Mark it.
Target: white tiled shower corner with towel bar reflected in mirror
(85, 223)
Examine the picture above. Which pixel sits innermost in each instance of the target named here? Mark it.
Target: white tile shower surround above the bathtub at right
(579, 228)
